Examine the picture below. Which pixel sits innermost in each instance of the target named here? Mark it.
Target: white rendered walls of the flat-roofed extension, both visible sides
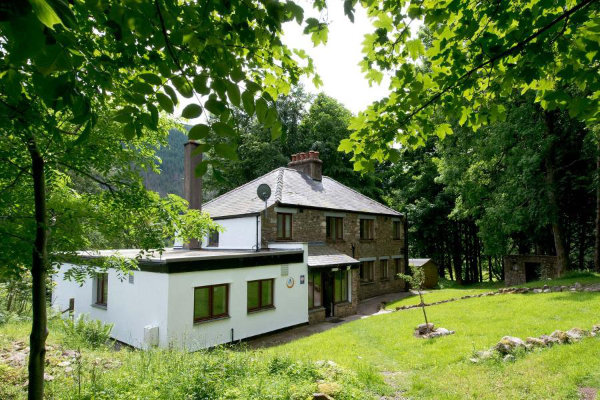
(167, 301)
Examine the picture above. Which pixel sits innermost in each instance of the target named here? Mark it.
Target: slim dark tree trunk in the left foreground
(39, 328)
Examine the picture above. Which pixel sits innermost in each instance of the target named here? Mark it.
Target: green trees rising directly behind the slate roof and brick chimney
(308, 123)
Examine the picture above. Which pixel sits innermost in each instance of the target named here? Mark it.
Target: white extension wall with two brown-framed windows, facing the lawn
(291, 305)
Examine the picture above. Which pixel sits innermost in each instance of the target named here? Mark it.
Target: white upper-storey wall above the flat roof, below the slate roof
(239, 233)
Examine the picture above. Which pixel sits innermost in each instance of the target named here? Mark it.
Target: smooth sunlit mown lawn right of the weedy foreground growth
(440, 368)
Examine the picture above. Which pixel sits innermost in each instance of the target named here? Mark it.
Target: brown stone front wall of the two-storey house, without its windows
(309, 225)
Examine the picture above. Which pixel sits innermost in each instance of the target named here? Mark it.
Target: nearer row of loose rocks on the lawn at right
(509, 346)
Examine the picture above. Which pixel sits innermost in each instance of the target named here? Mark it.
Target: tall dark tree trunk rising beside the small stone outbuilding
(557, 229)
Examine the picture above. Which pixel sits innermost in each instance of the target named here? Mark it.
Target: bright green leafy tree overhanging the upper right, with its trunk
(478, 54)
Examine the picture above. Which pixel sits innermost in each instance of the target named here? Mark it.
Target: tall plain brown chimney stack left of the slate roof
(192, 185)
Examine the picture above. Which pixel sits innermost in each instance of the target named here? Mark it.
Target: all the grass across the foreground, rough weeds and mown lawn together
(375, 356)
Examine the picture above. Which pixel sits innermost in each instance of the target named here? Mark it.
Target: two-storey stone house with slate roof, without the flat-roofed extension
(356, 246)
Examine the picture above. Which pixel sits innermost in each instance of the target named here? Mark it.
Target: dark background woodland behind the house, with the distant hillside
(470, 198)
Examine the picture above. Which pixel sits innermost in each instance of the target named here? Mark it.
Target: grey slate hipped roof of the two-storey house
(293, 188)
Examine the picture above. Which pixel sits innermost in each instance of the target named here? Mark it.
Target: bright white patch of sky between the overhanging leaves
(337, 61)
